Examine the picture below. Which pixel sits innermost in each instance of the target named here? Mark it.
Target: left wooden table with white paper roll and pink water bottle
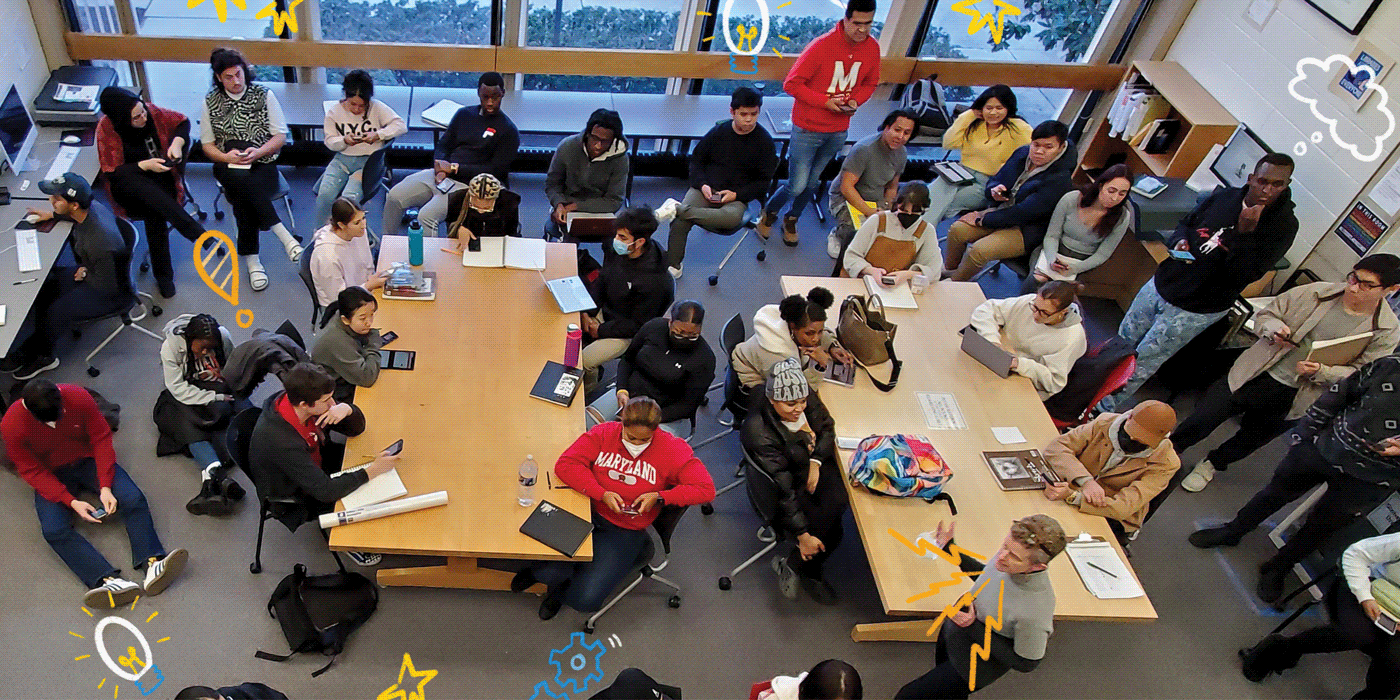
(467, 418)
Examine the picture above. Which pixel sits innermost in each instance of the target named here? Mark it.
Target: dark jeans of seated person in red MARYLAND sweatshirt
(615, 551)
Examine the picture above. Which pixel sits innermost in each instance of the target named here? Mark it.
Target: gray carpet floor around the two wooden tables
(492, 645)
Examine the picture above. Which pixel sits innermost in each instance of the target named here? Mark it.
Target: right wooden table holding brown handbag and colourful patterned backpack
(929, 345)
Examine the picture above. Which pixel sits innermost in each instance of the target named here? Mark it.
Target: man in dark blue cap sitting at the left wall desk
(71, 296)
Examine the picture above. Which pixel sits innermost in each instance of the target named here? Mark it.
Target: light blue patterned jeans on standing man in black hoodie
(1158, 331)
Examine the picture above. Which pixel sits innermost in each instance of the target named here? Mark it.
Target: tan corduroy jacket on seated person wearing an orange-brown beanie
(1129, 486)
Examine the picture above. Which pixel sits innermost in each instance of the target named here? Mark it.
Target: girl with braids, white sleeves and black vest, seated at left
(197, 405)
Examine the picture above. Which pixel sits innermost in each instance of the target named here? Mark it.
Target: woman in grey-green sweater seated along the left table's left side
(349, 348)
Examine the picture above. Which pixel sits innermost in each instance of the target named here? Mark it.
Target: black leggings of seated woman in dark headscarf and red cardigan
(150, 197)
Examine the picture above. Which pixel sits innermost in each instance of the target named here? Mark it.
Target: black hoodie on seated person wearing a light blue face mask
(632, 292)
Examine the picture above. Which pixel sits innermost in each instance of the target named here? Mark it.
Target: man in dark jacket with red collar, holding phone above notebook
(292, 456)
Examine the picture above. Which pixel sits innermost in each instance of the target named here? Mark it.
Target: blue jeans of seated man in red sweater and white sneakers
(86, 562)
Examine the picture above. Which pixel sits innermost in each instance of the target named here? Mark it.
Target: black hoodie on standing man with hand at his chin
(1210, 283)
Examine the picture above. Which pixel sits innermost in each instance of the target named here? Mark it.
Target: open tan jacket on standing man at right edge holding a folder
(1301, 309)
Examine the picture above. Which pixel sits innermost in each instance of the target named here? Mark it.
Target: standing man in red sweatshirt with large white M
(834, 76)
